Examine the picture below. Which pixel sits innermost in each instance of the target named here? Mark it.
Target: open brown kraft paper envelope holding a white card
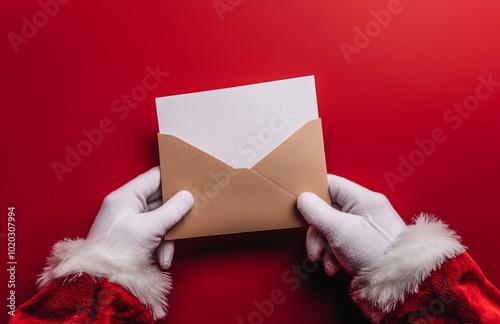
(229, 200)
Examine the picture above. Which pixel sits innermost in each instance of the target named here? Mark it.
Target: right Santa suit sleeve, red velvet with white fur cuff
(426, 277)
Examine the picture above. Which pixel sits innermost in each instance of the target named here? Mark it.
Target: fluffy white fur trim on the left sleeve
(126, 267)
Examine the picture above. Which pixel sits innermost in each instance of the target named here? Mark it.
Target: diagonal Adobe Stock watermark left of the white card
(120, 108)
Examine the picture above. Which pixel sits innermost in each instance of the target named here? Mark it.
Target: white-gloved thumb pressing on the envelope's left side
(167, 215)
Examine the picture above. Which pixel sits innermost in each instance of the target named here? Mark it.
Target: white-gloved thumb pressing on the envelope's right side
(324, 218)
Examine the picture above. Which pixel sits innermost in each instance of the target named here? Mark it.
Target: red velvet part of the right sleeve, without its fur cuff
(457, 292)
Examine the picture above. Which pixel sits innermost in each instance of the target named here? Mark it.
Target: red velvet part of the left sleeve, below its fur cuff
(82, 299)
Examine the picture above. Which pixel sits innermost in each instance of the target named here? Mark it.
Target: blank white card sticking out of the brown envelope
(240, 125)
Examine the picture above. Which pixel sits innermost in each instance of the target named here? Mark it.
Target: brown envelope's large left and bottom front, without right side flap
(227, 200)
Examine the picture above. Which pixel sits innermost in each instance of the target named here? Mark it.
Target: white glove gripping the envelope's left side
(134, 216)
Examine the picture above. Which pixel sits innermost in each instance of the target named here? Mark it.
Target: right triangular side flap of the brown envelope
(298, 164)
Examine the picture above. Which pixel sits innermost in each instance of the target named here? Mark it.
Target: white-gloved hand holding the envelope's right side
(357, 233)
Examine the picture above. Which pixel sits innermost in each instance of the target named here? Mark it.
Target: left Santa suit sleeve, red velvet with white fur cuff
(97, 282)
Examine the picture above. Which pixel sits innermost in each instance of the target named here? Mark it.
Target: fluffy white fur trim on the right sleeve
(417, 251)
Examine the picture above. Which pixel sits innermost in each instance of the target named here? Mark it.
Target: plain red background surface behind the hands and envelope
(395, 91)
